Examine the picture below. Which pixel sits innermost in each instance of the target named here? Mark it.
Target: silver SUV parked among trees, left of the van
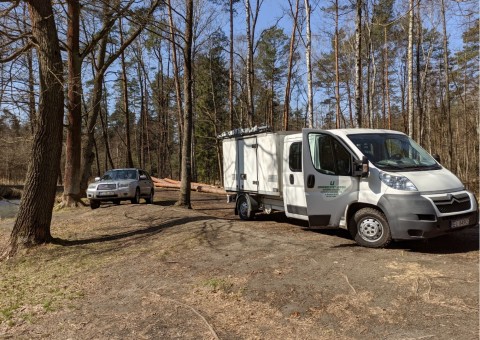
(118, 185)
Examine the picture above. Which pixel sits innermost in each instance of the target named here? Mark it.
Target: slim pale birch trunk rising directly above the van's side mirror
(358, 63)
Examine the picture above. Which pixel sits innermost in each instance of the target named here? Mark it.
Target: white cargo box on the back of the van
(254, 163)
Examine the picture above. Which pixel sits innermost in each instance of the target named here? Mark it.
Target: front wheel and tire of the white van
(369, 228)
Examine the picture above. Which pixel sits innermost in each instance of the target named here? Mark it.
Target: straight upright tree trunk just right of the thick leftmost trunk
(71, 182)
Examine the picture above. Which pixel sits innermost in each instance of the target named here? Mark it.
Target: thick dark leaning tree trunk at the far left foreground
(32, 226)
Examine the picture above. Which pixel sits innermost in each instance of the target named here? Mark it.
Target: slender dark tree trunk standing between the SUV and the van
(186, 178)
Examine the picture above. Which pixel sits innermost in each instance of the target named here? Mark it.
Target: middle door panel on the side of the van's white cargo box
(247, 164)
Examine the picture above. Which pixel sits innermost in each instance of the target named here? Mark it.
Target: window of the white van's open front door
(329, 156)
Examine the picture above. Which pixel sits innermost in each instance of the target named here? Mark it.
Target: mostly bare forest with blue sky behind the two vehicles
(380, 64)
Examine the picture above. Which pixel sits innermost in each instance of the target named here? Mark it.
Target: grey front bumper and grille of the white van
(425, 216)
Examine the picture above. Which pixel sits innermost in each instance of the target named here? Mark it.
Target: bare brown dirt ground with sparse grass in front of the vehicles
(161, 272)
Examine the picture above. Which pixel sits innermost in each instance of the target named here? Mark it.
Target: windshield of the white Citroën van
(394, 152)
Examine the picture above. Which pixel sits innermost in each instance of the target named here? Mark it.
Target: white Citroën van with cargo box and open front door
(378, 184)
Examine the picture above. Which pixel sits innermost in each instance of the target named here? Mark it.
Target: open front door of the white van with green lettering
(329, 184)
